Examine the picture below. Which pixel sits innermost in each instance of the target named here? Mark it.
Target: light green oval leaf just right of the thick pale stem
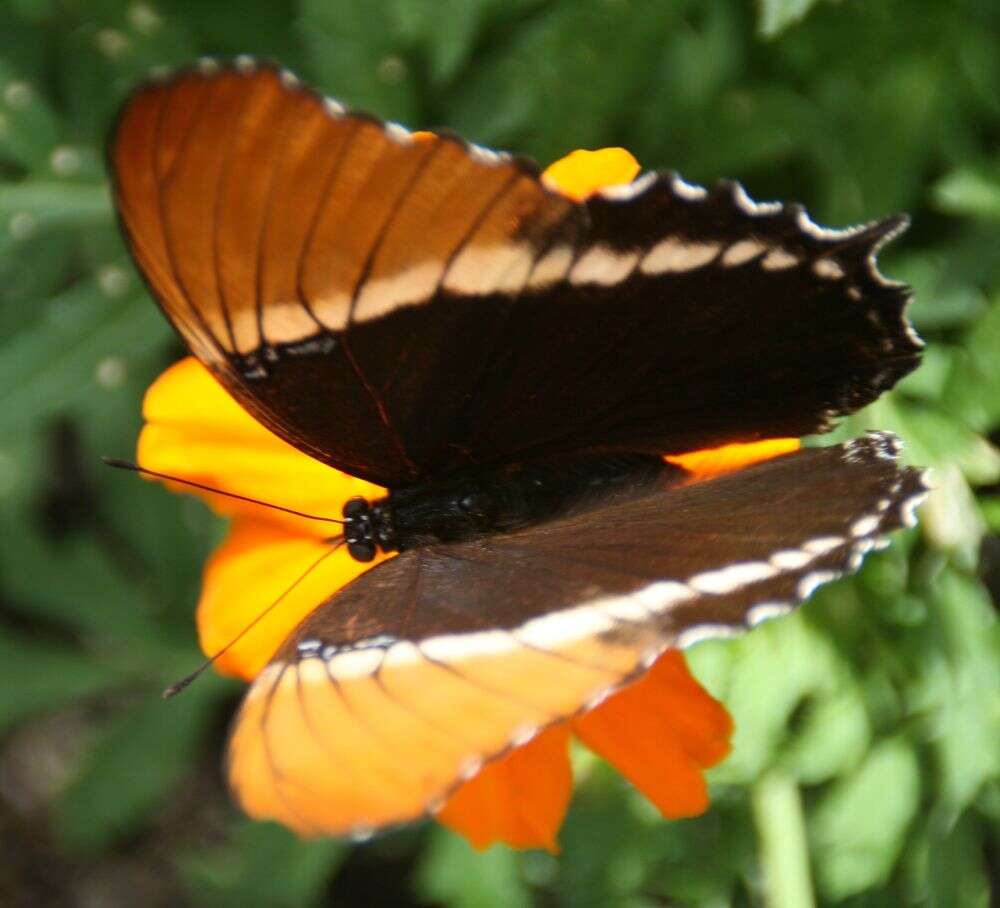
(857, 828)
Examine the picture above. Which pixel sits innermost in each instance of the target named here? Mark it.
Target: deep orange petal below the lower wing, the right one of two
(660, 733)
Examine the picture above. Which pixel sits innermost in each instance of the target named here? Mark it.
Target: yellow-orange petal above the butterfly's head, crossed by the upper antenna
(195, 430)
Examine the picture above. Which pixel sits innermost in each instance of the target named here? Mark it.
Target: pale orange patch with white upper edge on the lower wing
(372, 737)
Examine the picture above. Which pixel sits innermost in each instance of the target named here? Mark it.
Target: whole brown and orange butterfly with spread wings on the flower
(513, 366)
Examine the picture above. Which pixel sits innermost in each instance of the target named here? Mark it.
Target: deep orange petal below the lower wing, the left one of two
(520, 800)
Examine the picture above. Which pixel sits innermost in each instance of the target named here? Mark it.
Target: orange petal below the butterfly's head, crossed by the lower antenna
(257, 562)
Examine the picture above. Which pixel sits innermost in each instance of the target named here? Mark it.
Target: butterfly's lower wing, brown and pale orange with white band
(408, 679)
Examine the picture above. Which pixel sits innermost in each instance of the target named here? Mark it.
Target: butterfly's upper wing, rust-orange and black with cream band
(400, 305)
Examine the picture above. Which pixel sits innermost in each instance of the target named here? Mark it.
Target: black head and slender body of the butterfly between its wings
(478, 503)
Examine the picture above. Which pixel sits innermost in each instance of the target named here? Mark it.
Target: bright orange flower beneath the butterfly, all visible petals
(660, 732)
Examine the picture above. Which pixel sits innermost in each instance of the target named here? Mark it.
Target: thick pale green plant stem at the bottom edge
(781, 831)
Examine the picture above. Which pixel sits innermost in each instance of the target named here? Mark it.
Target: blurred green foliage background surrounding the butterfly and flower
(865, 770)
